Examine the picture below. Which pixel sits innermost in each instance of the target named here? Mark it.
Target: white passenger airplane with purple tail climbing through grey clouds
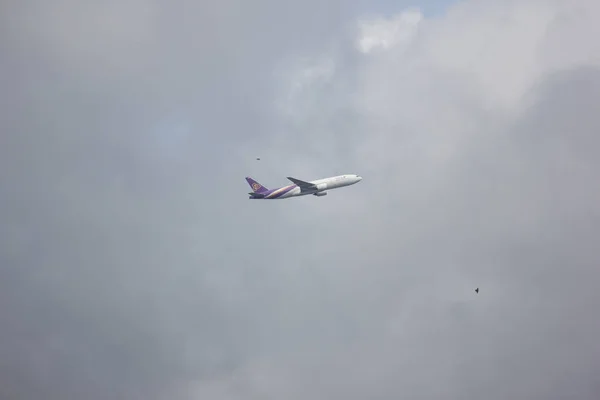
(301, 188)
